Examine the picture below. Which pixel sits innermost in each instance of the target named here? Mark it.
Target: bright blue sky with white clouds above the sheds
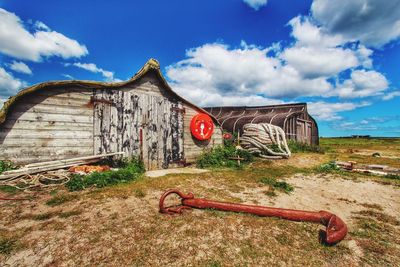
(342, 57)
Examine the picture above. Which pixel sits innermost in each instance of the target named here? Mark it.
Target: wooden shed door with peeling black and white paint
(142, 125)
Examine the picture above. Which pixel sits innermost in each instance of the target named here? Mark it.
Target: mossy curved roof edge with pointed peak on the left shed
(151, 64)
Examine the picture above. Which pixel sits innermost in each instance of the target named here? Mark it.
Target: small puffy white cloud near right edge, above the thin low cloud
(362, 83)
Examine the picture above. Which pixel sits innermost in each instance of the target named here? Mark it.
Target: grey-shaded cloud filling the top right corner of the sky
(373, 22)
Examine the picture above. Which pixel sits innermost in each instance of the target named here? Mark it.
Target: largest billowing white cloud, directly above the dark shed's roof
(215, 69)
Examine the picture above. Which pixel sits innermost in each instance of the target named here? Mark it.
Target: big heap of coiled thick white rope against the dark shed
(259, 137)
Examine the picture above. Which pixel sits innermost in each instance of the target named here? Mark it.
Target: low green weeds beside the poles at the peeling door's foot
(129, 171)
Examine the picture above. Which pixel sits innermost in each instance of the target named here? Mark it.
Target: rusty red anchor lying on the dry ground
(336, 229)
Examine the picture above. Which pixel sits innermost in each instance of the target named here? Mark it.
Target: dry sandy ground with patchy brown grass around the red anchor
(121, 225)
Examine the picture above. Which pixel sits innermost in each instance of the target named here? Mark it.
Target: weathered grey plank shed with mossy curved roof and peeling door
(142, 117)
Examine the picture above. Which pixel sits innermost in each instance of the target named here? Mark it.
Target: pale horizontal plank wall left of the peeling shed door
(48, 125)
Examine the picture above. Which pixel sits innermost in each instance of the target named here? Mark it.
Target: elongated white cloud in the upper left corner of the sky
(18, 42)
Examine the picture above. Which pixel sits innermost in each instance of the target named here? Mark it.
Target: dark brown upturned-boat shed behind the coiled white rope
(292, 118)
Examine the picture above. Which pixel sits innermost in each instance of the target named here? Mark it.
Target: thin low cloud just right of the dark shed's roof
(329, 111)
